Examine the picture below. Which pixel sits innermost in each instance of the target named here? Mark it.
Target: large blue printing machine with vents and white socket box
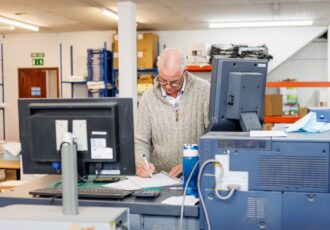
(283, 181)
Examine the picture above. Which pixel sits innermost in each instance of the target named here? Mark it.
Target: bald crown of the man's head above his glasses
(171, 60)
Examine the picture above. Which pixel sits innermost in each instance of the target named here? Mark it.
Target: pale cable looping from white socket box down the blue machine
(232, 190)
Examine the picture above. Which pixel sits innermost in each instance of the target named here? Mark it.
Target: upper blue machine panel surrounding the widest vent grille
(290, 166)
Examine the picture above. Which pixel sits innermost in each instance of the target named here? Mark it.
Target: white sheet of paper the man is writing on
(157, 180)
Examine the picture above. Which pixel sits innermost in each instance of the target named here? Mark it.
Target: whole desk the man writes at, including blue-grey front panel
(144, 213)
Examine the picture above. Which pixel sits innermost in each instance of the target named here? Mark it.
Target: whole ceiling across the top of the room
(85, 15)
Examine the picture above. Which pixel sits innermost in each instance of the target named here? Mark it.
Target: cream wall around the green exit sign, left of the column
(17, 51)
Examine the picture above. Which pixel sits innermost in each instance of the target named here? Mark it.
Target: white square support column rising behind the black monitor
(127, 51)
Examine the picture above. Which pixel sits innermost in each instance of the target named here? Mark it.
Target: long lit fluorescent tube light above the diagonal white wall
(260, 24)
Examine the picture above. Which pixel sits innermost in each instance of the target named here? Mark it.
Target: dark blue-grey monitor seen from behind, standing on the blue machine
(237, 94)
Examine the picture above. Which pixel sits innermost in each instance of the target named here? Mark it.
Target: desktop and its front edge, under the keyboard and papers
(144, 206)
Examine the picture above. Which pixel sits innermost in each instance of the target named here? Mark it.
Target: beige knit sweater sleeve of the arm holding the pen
(143, 145)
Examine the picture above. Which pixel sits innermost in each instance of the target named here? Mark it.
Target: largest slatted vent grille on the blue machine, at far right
(291, 172)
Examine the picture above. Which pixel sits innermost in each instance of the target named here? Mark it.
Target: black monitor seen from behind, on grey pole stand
(103, 128)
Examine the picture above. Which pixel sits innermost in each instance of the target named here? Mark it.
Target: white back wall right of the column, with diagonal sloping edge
(295, 55)
